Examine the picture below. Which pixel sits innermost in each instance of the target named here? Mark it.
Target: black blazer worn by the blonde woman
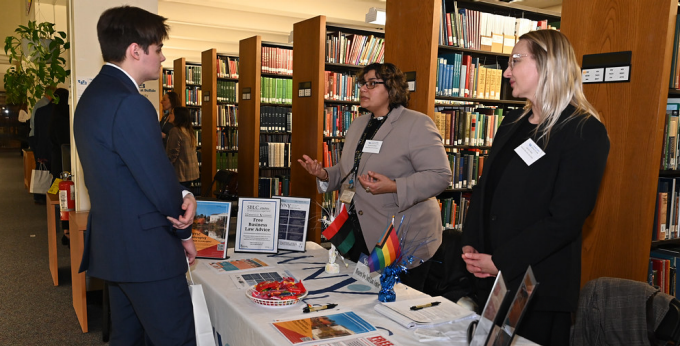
(538, 211)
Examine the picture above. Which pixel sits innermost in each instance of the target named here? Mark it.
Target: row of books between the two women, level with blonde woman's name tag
(466, 167)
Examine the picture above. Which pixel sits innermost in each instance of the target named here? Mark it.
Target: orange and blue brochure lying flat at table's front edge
(323, 327)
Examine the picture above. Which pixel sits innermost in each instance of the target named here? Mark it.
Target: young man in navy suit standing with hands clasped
(139, 227)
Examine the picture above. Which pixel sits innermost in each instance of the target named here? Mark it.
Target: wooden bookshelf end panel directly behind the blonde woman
(617, 236)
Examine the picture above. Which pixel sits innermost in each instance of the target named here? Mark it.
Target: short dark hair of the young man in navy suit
(119, 27)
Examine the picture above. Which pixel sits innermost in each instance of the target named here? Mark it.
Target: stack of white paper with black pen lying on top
(426, 311)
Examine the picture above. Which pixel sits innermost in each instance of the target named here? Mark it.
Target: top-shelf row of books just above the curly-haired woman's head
(354, 49)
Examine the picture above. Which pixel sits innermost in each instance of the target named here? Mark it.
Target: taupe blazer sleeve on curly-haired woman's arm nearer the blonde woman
(427, 155)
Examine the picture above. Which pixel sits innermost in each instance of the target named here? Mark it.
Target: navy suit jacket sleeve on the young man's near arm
(137, 140)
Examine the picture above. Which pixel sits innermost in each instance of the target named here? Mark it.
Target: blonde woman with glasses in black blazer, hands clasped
(539, 185)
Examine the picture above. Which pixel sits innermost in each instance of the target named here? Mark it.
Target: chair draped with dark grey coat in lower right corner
(615, 311)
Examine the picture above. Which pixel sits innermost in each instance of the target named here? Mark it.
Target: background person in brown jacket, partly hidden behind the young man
(181, 148)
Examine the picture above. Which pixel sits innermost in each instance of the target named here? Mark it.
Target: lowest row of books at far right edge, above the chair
(662, 271)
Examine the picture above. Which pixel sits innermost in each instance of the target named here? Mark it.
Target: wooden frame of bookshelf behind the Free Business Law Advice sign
(250, 52)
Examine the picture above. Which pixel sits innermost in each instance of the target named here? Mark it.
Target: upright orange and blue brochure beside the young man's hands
(211, 228)
